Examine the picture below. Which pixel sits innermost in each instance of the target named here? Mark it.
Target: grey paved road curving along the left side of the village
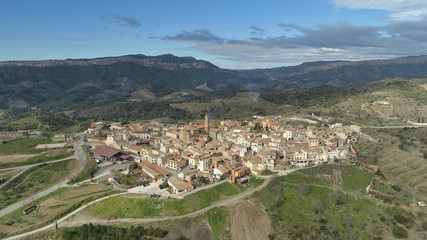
(79, 154)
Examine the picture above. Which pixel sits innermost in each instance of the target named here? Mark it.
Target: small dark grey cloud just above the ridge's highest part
(196, 36)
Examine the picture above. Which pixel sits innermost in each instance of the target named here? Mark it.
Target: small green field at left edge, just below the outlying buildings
(22, 145)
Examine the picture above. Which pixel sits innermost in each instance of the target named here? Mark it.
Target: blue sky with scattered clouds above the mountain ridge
(231, 34)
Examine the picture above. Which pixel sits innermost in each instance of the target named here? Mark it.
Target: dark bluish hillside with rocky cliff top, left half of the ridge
(71, 84)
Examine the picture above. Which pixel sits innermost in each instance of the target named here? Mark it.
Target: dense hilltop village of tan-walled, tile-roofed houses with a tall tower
(178, 154)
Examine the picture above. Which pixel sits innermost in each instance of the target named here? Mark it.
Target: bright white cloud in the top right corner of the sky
(400, 9)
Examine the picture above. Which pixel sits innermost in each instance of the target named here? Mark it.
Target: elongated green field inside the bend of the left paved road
(41, 178)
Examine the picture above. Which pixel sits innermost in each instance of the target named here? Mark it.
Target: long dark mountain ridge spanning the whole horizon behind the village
(75, 83)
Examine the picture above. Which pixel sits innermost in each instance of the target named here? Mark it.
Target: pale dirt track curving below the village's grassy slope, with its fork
(229, 201)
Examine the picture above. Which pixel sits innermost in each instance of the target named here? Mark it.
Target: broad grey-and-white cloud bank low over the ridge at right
(297, 44)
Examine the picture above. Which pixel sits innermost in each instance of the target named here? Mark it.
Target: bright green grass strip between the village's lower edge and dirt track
(140, 208)
